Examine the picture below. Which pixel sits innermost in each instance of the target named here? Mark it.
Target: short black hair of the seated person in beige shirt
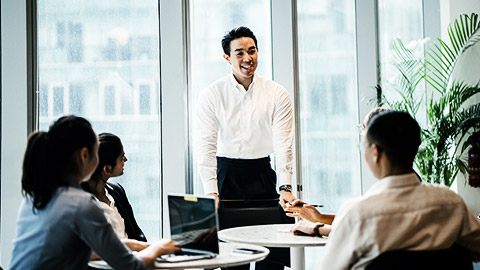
(397, 134)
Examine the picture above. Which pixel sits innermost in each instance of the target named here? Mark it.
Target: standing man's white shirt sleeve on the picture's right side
(283, 133)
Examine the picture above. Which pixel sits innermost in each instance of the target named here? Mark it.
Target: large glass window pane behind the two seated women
(100, 60)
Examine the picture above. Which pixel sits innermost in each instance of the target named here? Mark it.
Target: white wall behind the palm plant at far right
(450, 10)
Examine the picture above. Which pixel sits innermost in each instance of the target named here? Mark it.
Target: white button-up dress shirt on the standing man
(234, 123)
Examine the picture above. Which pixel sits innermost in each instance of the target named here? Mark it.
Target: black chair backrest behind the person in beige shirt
(456, 257)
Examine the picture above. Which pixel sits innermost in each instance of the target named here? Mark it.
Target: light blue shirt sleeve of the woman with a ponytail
(96, 231)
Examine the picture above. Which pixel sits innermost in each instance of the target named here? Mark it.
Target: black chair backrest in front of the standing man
(237, 217)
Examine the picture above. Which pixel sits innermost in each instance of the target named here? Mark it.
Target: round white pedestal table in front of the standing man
(277, 235)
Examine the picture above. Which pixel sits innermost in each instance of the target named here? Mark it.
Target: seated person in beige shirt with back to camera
(398, 212)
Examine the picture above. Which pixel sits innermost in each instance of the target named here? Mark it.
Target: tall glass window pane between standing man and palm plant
(328, 105)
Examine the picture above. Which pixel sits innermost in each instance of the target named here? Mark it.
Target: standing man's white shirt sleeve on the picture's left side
(205, 141)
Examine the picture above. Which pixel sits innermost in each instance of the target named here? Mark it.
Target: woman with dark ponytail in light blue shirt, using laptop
(59, 224)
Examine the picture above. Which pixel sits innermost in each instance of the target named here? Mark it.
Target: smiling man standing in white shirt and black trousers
(241, 119)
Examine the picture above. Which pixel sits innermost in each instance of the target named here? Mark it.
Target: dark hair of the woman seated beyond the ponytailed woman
(109, 149)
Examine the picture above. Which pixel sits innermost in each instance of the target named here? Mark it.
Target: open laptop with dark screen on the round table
(194, 224)
